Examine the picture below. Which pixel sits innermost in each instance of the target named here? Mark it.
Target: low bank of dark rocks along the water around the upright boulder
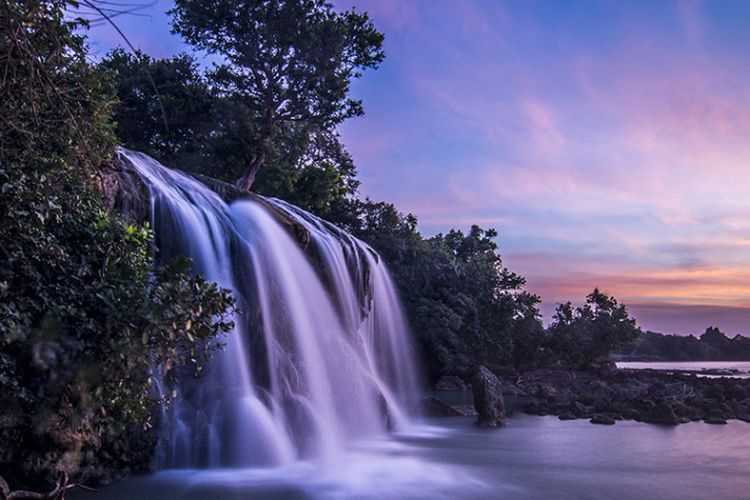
(607, 395)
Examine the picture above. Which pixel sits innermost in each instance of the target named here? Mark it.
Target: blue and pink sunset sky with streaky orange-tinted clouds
(608, 142)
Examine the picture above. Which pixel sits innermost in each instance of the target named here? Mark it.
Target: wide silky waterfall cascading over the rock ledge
(320, 354)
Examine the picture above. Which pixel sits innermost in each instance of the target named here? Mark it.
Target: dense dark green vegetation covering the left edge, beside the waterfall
(84, 313)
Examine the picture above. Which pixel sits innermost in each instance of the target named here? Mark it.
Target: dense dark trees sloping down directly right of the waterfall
(464, 306)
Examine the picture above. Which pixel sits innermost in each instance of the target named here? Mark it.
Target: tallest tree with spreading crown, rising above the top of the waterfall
(287, 71)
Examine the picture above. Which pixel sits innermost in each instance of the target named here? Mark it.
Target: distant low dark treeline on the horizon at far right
(713, 345)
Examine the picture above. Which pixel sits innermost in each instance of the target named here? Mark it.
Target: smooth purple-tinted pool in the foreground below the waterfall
(534, 457)
